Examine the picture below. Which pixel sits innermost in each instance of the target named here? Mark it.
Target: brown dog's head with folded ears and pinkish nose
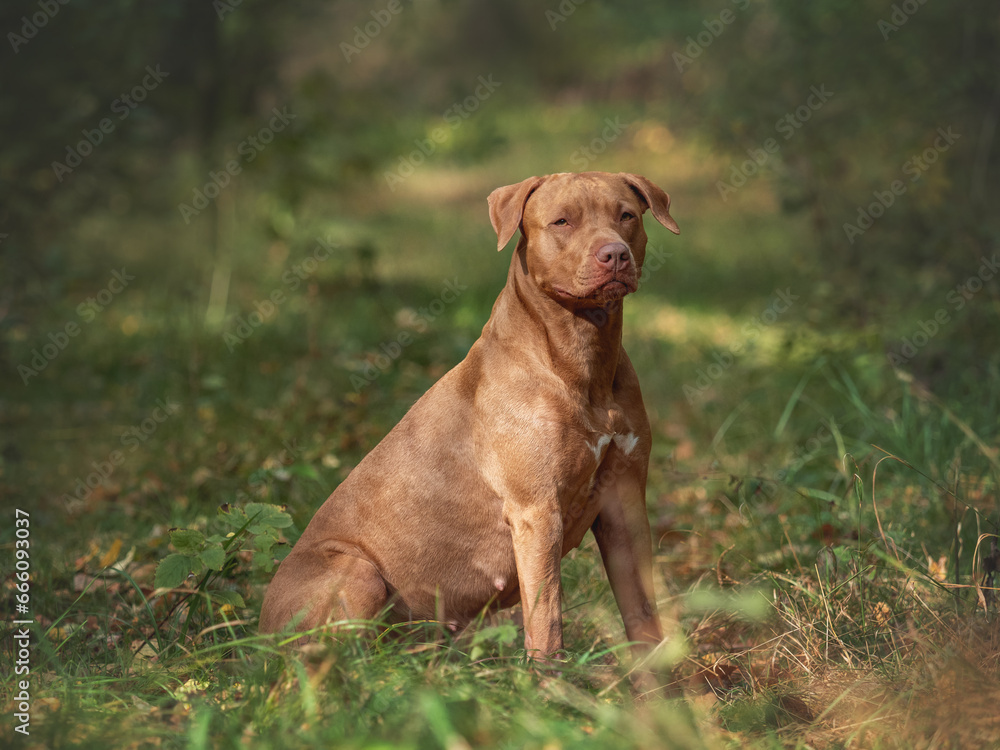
(582, 237)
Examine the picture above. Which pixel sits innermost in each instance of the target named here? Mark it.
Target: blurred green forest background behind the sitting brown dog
(218, 217)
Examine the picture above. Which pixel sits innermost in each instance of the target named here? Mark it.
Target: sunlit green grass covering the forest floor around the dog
(796, 502)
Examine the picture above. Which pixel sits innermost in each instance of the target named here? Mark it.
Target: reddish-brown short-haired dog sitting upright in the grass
(472, 500)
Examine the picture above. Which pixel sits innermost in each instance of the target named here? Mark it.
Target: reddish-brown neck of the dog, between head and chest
(583, 345)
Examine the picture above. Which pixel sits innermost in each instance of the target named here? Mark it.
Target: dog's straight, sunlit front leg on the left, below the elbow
(537, 534)
